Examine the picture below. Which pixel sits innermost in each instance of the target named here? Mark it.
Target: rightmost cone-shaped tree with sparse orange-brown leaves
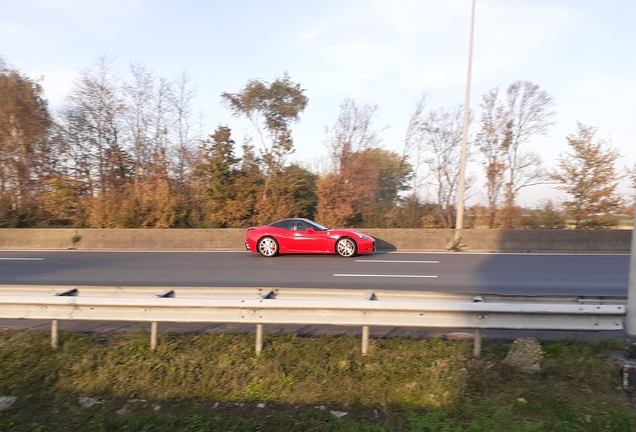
(588, 175)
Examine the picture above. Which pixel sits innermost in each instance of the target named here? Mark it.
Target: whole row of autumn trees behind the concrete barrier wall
(127, 151)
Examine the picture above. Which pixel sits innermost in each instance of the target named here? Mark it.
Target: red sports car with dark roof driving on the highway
(305, 236)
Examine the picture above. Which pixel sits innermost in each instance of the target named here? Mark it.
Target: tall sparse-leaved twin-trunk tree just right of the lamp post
(506, 126)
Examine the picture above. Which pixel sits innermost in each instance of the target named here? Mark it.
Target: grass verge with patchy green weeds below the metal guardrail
(214, 382)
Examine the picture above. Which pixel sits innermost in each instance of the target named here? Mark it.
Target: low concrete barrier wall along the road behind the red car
(479, 240)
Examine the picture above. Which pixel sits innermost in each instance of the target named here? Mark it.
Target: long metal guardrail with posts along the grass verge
(300, 306)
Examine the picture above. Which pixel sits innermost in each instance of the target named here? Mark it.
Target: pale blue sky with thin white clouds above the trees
(384, 52)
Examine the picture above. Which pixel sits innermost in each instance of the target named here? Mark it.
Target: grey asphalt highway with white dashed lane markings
(507, 274)
